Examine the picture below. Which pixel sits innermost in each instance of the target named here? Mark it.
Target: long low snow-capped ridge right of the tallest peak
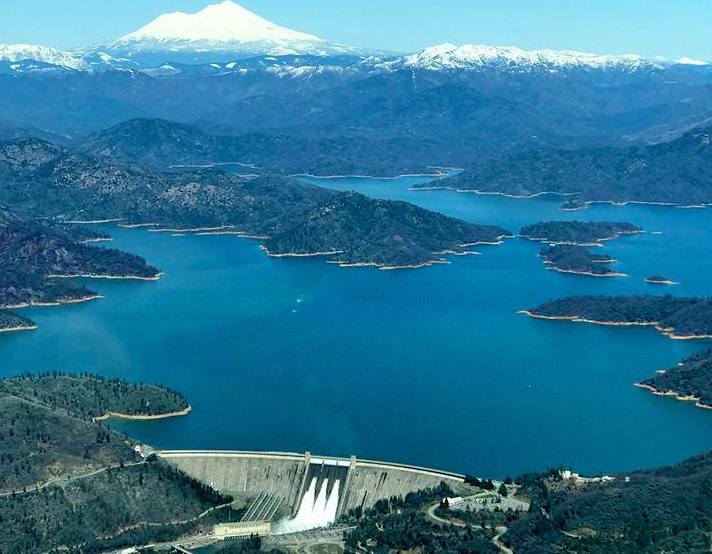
(449, 57)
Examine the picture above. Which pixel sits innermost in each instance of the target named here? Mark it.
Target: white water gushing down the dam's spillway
(317, 509)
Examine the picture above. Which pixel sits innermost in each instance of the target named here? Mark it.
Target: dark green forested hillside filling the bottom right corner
(664, 510)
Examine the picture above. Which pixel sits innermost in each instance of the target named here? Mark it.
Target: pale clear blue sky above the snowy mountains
(650, 27)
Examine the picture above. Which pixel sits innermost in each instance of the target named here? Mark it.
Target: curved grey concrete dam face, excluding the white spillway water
(245, 475)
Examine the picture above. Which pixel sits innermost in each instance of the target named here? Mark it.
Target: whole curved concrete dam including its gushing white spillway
(313, 490)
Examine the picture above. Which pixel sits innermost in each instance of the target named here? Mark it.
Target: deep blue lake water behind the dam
(431, 367)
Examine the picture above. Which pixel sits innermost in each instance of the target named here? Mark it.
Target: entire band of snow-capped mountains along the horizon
(223, 37)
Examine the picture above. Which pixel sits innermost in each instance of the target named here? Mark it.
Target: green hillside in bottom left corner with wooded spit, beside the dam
(115, 498)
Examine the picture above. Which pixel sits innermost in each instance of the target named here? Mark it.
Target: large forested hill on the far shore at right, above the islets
(672, 173)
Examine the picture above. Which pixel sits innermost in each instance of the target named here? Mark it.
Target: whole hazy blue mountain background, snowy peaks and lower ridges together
(231, 72)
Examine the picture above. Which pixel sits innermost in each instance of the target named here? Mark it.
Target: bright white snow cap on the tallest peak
(226, 22)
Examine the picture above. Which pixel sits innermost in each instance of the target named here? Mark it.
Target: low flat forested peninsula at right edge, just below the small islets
(677, 318)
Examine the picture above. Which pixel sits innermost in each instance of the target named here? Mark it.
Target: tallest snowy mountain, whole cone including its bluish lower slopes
(218, 29)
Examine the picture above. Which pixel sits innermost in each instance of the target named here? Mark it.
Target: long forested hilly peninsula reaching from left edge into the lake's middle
(41, 179)
